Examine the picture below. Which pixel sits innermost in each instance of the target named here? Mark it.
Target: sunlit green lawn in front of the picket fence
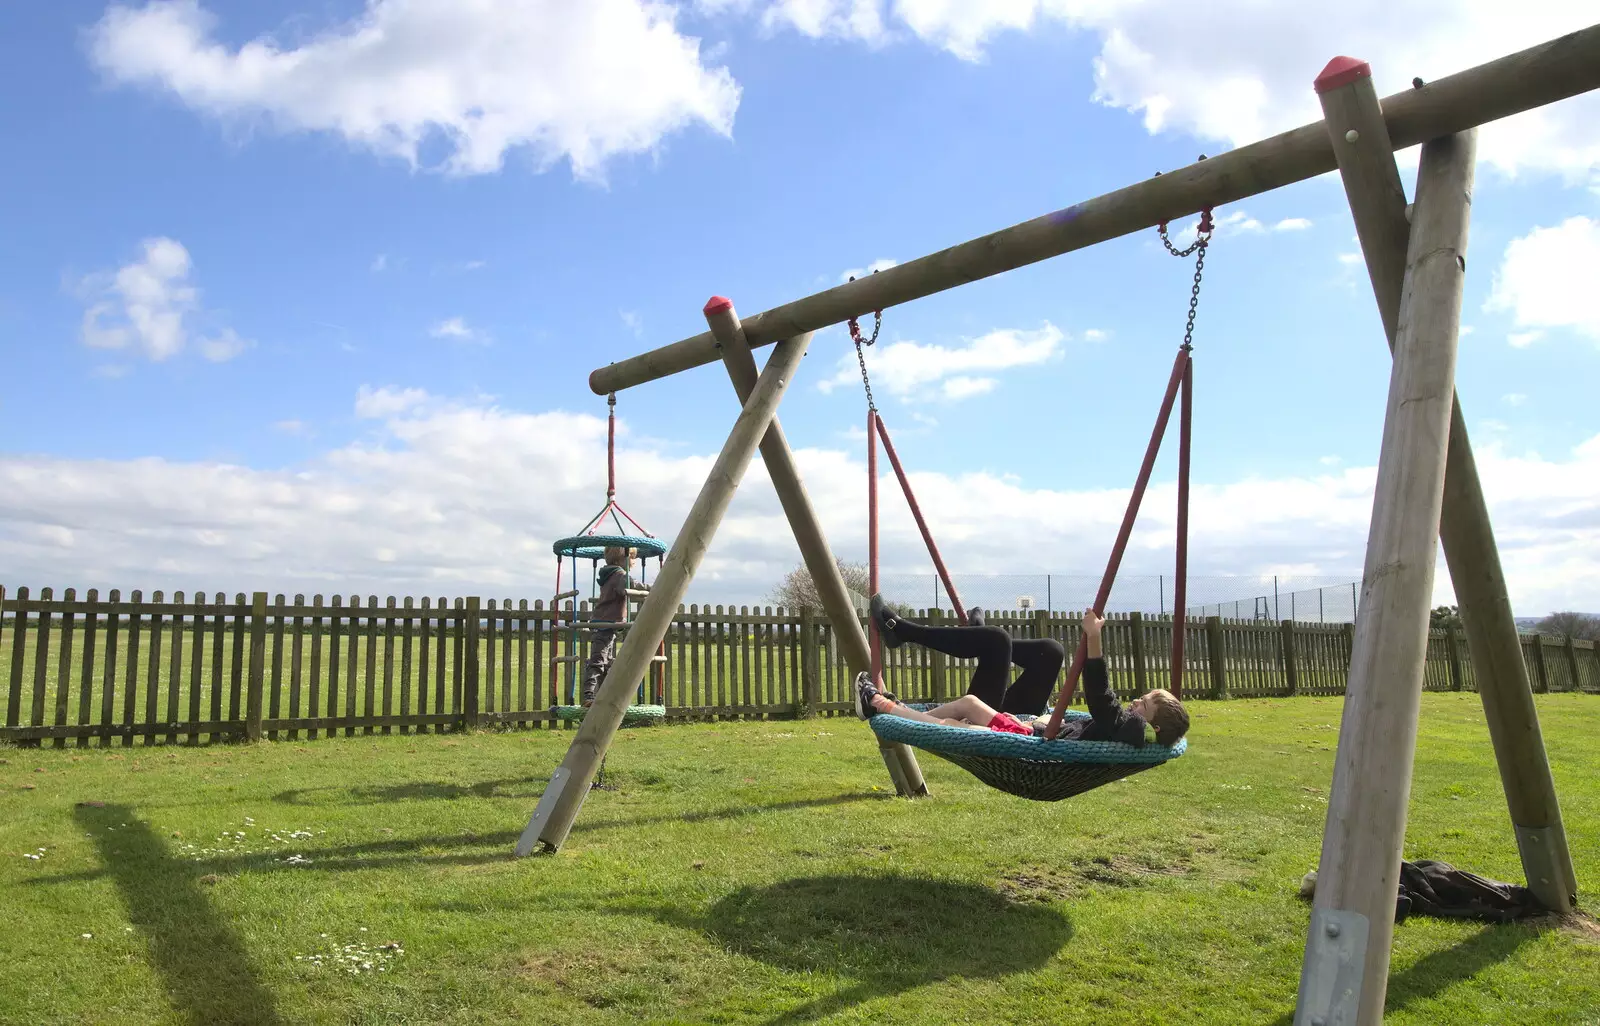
(746, 873)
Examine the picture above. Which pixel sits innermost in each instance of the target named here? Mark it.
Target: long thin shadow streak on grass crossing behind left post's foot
(465, 849)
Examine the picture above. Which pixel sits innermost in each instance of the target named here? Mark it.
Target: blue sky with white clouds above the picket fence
(303, 295)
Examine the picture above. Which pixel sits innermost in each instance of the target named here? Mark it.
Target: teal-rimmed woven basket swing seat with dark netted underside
(1025, 766)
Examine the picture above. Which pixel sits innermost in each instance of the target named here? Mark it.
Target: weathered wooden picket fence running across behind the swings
(204, 670)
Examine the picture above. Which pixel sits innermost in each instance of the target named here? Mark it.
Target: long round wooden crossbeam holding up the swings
(1534, 78)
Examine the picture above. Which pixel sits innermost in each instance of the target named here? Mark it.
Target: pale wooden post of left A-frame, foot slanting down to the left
(570, 784)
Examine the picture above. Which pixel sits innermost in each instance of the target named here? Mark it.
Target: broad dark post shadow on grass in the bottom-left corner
(201, 960)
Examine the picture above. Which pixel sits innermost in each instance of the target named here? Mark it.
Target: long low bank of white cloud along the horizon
(438, 502)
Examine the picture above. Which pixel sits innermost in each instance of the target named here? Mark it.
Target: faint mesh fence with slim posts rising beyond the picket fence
(1305, 599)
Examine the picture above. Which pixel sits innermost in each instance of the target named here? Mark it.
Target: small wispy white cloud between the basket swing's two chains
(916, 369)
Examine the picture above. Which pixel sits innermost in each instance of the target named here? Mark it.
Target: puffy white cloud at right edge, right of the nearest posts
(1546, 281)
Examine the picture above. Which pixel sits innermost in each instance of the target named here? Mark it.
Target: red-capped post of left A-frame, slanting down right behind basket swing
(809, 531)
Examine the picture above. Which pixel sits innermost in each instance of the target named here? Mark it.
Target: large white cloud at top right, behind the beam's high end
(1238, 71)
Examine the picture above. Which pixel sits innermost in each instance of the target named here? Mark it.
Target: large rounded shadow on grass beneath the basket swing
(889, 934)
